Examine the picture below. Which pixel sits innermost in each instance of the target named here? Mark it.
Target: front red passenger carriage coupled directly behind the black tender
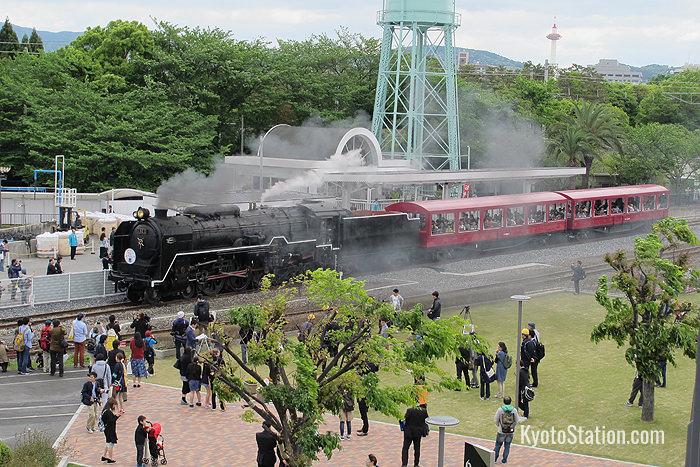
(470, 221)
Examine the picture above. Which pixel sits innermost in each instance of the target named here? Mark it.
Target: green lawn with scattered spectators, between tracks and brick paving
(581, 383)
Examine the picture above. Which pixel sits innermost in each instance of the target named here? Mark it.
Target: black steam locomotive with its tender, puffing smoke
(207, 250)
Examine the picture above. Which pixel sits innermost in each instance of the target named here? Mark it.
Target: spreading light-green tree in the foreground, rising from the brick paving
(294, 383)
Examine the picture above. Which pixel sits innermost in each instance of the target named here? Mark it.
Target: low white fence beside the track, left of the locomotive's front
(38, 290)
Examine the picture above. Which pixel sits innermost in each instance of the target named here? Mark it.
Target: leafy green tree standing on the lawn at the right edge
(653, 319)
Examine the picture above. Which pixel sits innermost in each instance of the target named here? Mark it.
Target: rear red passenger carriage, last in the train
(606, 208)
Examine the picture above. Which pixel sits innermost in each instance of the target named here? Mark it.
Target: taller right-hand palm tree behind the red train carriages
(602, 130)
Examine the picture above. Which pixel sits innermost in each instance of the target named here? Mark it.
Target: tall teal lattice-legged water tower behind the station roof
(415, 107)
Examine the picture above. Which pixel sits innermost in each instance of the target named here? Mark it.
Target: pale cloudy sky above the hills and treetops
(636, 32)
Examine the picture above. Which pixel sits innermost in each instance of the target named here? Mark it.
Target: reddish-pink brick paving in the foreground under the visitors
(204, 437)
